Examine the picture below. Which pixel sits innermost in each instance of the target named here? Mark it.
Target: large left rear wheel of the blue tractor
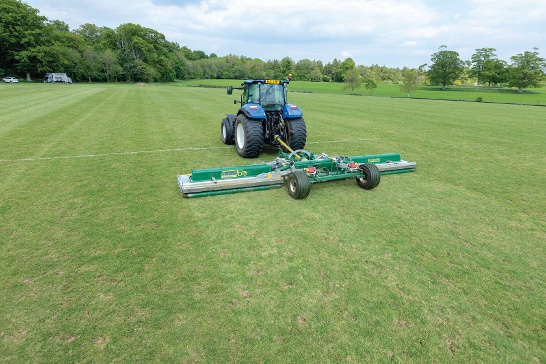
(249, 137)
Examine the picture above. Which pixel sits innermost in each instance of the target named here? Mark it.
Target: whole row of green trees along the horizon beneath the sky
(32, 45)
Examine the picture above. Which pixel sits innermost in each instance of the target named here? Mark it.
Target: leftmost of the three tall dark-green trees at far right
(446, 67)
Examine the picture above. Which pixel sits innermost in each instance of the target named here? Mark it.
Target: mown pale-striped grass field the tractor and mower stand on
(103, 260)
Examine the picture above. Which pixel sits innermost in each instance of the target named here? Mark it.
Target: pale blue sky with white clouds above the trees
(392, 33)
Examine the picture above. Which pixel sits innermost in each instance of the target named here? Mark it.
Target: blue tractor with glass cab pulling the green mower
(265, 116)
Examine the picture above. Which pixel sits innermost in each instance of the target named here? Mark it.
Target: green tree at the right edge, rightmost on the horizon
(526, 70)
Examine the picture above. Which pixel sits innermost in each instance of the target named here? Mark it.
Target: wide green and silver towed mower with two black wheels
(298, 169)
